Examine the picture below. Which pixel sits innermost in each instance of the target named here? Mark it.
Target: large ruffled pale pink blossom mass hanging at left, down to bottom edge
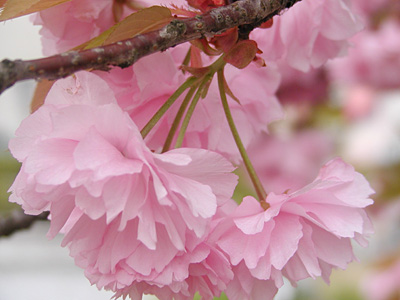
(129, 215)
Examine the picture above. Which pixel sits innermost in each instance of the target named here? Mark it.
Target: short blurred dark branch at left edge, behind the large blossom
(17, 220)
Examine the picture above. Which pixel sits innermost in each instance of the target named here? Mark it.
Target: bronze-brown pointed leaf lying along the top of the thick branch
(145, 20)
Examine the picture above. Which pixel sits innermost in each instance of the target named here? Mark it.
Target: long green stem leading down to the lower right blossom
(262, 195)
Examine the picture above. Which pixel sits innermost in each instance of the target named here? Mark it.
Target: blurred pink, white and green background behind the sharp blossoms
(350, 108)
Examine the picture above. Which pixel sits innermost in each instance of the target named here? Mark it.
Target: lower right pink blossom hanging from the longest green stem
(302, 234)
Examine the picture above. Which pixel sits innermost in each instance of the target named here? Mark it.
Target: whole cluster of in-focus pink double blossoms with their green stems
(143, 194)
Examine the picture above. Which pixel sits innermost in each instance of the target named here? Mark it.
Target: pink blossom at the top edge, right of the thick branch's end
(309, 33)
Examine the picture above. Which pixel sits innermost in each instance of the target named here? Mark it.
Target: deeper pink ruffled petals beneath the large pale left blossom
(116, 260)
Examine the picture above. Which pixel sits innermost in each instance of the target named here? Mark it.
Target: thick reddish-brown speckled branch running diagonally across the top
(127, 52)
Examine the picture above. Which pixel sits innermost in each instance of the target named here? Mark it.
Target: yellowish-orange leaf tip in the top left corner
(15, 8)
